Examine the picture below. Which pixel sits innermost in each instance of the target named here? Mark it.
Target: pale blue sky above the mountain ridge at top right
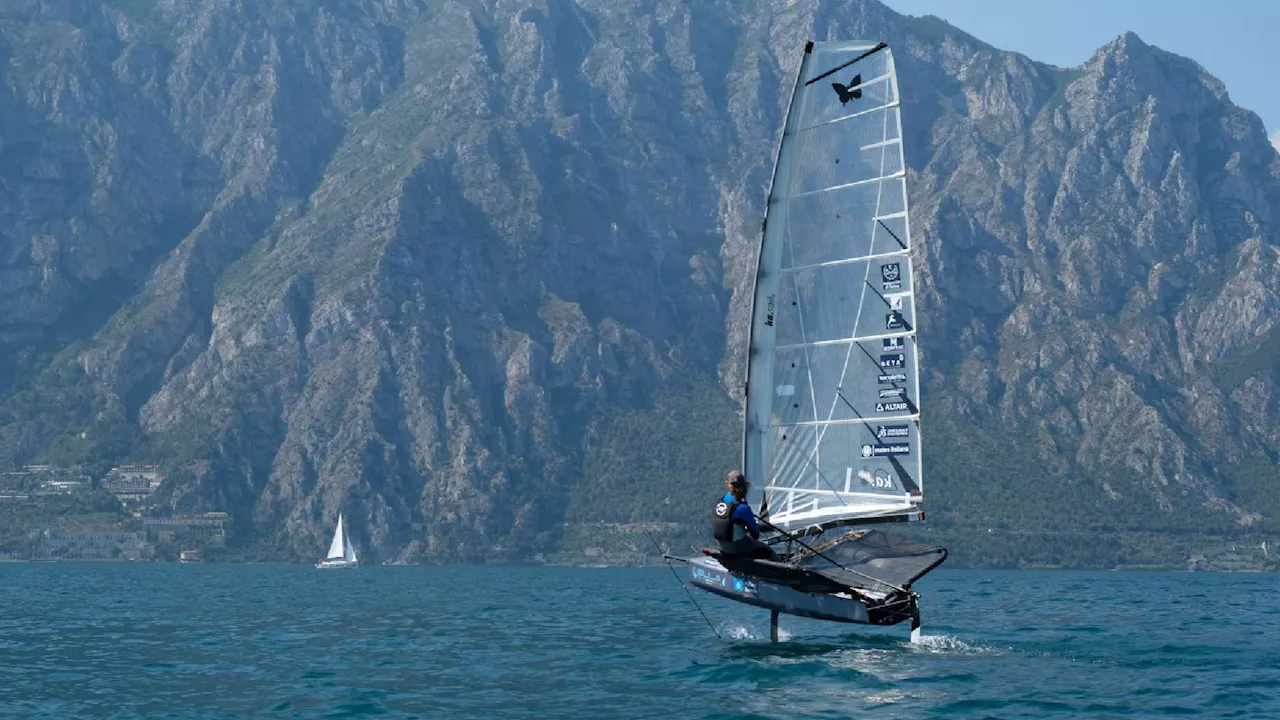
(1238, 42)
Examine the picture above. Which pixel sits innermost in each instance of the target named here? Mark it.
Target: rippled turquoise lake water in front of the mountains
(272, 641)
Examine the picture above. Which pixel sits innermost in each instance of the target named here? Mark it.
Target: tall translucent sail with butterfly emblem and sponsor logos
(833, 398)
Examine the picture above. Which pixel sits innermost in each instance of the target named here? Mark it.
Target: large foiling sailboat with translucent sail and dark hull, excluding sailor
(833, 431)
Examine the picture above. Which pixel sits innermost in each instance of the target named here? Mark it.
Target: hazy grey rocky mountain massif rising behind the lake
(476, 272)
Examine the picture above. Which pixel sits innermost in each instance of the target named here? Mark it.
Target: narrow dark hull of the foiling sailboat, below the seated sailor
(708, 575)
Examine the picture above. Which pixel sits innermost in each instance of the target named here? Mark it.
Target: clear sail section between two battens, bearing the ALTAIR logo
(849, 382)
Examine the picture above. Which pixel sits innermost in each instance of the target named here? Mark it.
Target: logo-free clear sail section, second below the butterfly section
(842, 225)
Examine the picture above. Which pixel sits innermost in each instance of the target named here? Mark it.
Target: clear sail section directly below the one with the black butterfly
(834, 156)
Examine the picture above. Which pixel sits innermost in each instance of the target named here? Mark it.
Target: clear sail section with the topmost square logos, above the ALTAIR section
(863, 299)
